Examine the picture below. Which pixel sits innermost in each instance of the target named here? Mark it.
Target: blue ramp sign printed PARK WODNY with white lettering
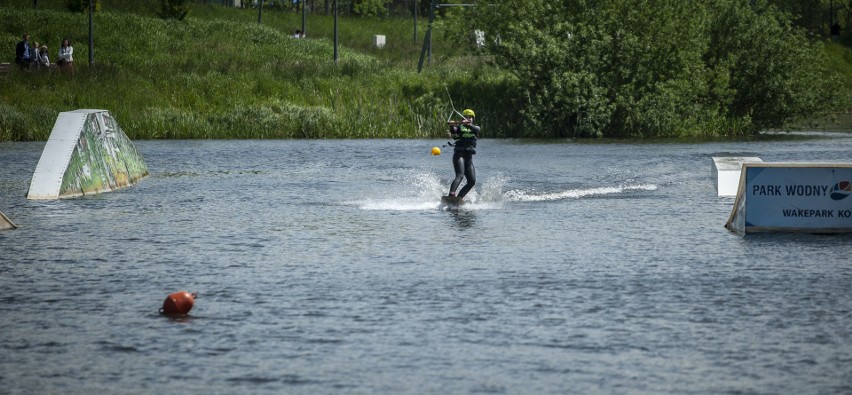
(793, 197)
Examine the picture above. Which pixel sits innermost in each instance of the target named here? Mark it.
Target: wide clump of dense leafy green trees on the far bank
(637, 69)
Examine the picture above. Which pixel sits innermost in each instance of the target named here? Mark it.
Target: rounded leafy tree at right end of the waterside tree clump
(775, 73)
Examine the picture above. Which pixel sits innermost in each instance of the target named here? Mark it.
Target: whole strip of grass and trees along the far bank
(662, 70)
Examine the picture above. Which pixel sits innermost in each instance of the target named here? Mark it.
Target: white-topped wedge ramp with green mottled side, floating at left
(87, 153)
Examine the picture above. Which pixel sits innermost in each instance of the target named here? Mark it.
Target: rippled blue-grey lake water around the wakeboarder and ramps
(326, 267)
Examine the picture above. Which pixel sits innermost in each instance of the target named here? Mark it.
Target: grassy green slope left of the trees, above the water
(217, 78)
